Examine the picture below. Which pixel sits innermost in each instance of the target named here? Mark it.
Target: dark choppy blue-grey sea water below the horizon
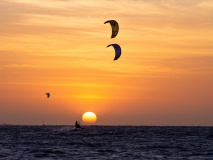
(106, 142)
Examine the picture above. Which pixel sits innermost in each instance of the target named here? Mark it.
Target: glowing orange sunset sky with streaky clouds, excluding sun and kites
(163, 77)
